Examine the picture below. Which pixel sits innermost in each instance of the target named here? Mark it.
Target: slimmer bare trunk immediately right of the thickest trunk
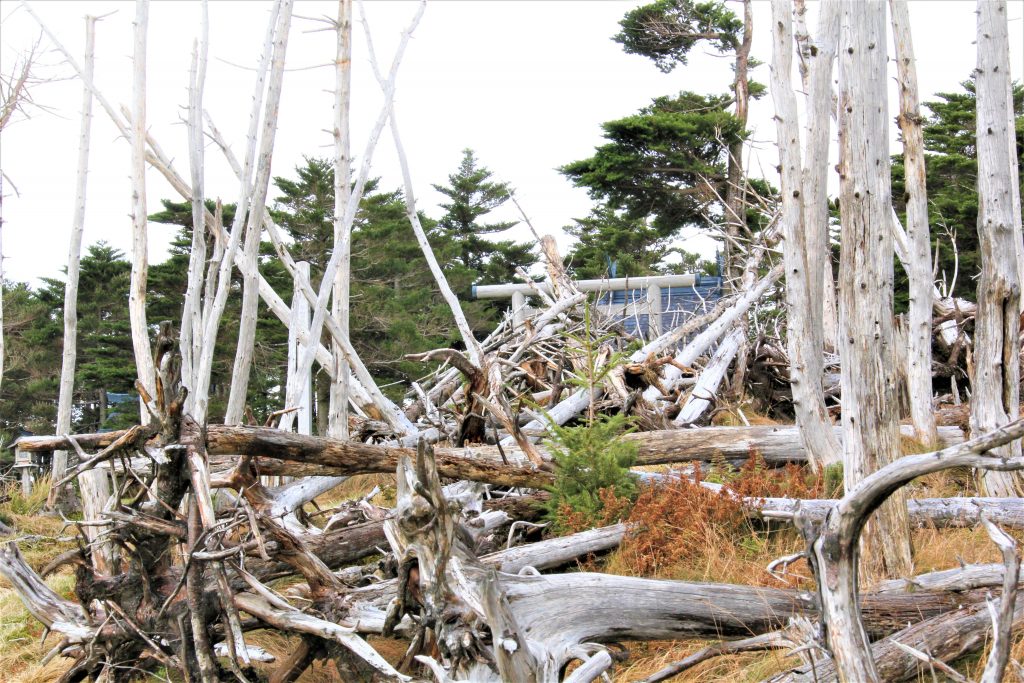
(920, 266)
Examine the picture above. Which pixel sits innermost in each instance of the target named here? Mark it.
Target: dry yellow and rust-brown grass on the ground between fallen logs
(705, 543)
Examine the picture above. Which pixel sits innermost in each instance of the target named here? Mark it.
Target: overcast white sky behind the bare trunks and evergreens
(525, 84)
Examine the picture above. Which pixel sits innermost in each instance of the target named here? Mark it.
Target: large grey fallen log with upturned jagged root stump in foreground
(549, 616)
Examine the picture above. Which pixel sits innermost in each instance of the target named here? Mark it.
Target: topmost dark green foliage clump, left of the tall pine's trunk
(667, 30)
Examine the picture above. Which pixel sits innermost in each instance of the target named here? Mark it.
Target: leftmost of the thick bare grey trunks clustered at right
(801, 253)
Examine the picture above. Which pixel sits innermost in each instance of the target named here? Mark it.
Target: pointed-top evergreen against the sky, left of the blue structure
(474, 195)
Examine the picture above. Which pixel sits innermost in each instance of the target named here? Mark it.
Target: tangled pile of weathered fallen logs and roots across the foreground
(181, 566)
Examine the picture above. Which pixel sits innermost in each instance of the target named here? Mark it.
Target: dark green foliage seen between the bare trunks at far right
(952, 178)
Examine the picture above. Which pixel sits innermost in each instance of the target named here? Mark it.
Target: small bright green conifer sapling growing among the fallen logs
(588, 459)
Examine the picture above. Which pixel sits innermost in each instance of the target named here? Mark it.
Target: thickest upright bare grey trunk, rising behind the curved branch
(870, 421)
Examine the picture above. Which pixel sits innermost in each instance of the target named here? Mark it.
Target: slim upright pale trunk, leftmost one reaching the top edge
(140, 267)
